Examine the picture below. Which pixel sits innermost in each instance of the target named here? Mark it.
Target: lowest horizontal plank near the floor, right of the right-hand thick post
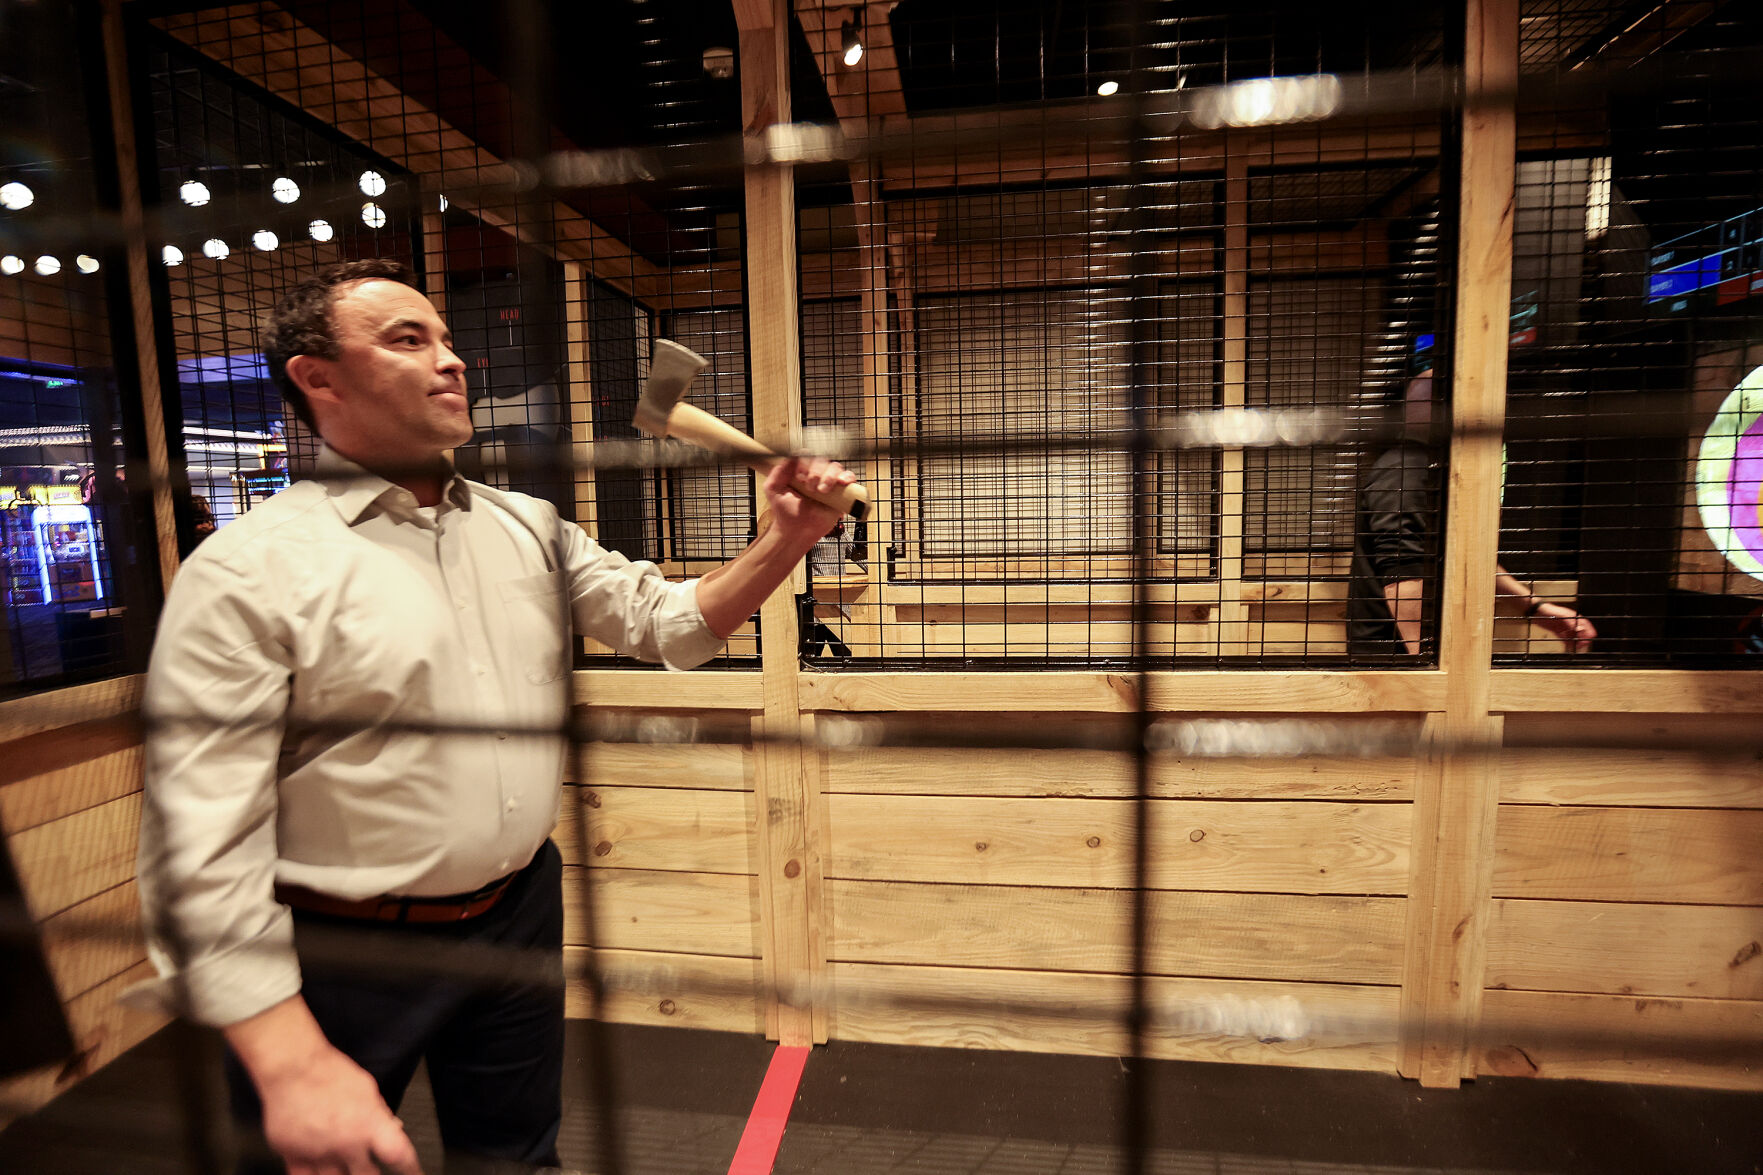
(1616, 1038)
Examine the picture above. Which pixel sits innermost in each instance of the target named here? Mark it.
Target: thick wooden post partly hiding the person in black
(1457, 797)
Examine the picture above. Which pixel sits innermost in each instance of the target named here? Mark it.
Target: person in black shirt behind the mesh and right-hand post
(1395, 550)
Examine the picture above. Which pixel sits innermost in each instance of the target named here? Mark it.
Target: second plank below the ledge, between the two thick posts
(1196, 844)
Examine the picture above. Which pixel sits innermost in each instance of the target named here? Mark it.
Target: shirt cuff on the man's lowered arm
(234, 985)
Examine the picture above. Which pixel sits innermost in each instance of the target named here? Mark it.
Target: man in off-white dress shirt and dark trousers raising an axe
(345, 700)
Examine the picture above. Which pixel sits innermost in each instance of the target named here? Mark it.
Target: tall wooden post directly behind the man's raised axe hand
(789, 844)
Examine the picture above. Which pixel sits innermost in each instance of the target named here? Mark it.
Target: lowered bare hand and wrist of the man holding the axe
(322, 1112)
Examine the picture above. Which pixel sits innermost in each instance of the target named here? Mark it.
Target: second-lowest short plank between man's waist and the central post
(660, 911)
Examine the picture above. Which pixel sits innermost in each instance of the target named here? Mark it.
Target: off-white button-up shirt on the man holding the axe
(362, 696)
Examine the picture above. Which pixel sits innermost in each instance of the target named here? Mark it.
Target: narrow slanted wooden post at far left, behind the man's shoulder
(140, 292)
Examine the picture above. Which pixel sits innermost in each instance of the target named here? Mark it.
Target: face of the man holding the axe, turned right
(398, 393)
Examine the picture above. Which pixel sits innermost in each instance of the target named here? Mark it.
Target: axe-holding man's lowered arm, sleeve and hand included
(218, 705)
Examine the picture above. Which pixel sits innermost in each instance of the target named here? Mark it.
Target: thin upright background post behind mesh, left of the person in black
(1233, 613)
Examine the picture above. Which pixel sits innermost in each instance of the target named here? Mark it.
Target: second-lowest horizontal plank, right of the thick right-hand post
(1626, 950)
